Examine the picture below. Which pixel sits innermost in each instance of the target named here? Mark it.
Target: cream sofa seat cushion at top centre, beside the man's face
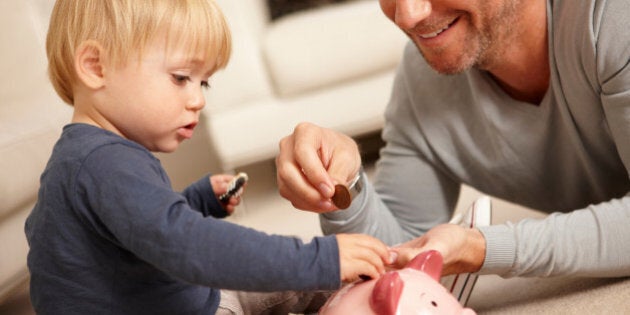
(319, 48)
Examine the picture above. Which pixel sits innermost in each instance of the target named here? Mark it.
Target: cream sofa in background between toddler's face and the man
(332, 65)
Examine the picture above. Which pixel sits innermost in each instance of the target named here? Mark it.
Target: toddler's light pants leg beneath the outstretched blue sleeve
(264, 303)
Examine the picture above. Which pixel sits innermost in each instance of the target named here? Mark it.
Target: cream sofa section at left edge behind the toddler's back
(31, 117)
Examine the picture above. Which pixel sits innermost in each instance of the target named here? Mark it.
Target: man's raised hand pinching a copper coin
(312, 160)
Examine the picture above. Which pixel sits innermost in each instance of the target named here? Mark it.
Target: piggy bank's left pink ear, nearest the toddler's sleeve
(386, 294)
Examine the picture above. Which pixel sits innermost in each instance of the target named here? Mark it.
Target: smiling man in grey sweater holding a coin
(530, 103)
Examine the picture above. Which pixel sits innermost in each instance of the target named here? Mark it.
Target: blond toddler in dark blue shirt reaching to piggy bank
(108, 235)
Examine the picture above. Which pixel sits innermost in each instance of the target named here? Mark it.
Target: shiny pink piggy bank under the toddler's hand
(412, 290)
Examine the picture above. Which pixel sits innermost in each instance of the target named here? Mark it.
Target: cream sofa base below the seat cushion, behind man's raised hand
(252, 132)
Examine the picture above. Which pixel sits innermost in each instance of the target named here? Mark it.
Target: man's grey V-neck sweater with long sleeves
(568, 156)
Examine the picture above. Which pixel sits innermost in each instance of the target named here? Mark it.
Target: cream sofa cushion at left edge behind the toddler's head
(31, 114)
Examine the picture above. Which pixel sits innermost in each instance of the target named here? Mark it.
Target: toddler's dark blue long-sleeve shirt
(108, 235)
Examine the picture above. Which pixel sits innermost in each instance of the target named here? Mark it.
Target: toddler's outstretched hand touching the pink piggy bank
(361, 255)
